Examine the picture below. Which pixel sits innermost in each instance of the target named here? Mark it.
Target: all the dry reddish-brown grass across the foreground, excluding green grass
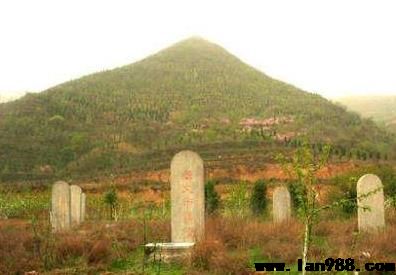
(225, 250)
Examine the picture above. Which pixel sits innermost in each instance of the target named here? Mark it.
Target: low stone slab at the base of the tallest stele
(169, 252)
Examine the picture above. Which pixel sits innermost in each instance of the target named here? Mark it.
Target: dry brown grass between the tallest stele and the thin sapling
(228, 241)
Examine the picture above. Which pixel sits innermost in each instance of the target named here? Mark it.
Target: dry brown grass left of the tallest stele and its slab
(93, 245)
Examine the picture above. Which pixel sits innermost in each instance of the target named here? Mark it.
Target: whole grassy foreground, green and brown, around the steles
(234, 241)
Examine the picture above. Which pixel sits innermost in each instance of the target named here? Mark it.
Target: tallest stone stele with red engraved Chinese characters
(187, 197)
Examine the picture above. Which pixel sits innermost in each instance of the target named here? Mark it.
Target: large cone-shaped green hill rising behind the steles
(191, 95)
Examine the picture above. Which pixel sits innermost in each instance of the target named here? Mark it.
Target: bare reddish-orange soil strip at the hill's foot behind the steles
(131, 185)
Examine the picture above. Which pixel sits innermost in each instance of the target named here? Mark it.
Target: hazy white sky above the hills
(334, 47)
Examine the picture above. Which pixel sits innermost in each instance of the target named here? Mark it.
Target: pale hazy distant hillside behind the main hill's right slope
(382, 109)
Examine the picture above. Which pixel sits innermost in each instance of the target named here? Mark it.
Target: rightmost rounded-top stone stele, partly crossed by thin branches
(370, 195)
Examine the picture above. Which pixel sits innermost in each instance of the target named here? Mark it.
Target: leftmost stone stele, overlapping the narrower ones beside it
(60, 207)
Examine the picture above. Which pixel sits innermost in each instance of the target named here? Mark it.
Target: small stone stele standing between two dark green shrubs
(281, 210)
